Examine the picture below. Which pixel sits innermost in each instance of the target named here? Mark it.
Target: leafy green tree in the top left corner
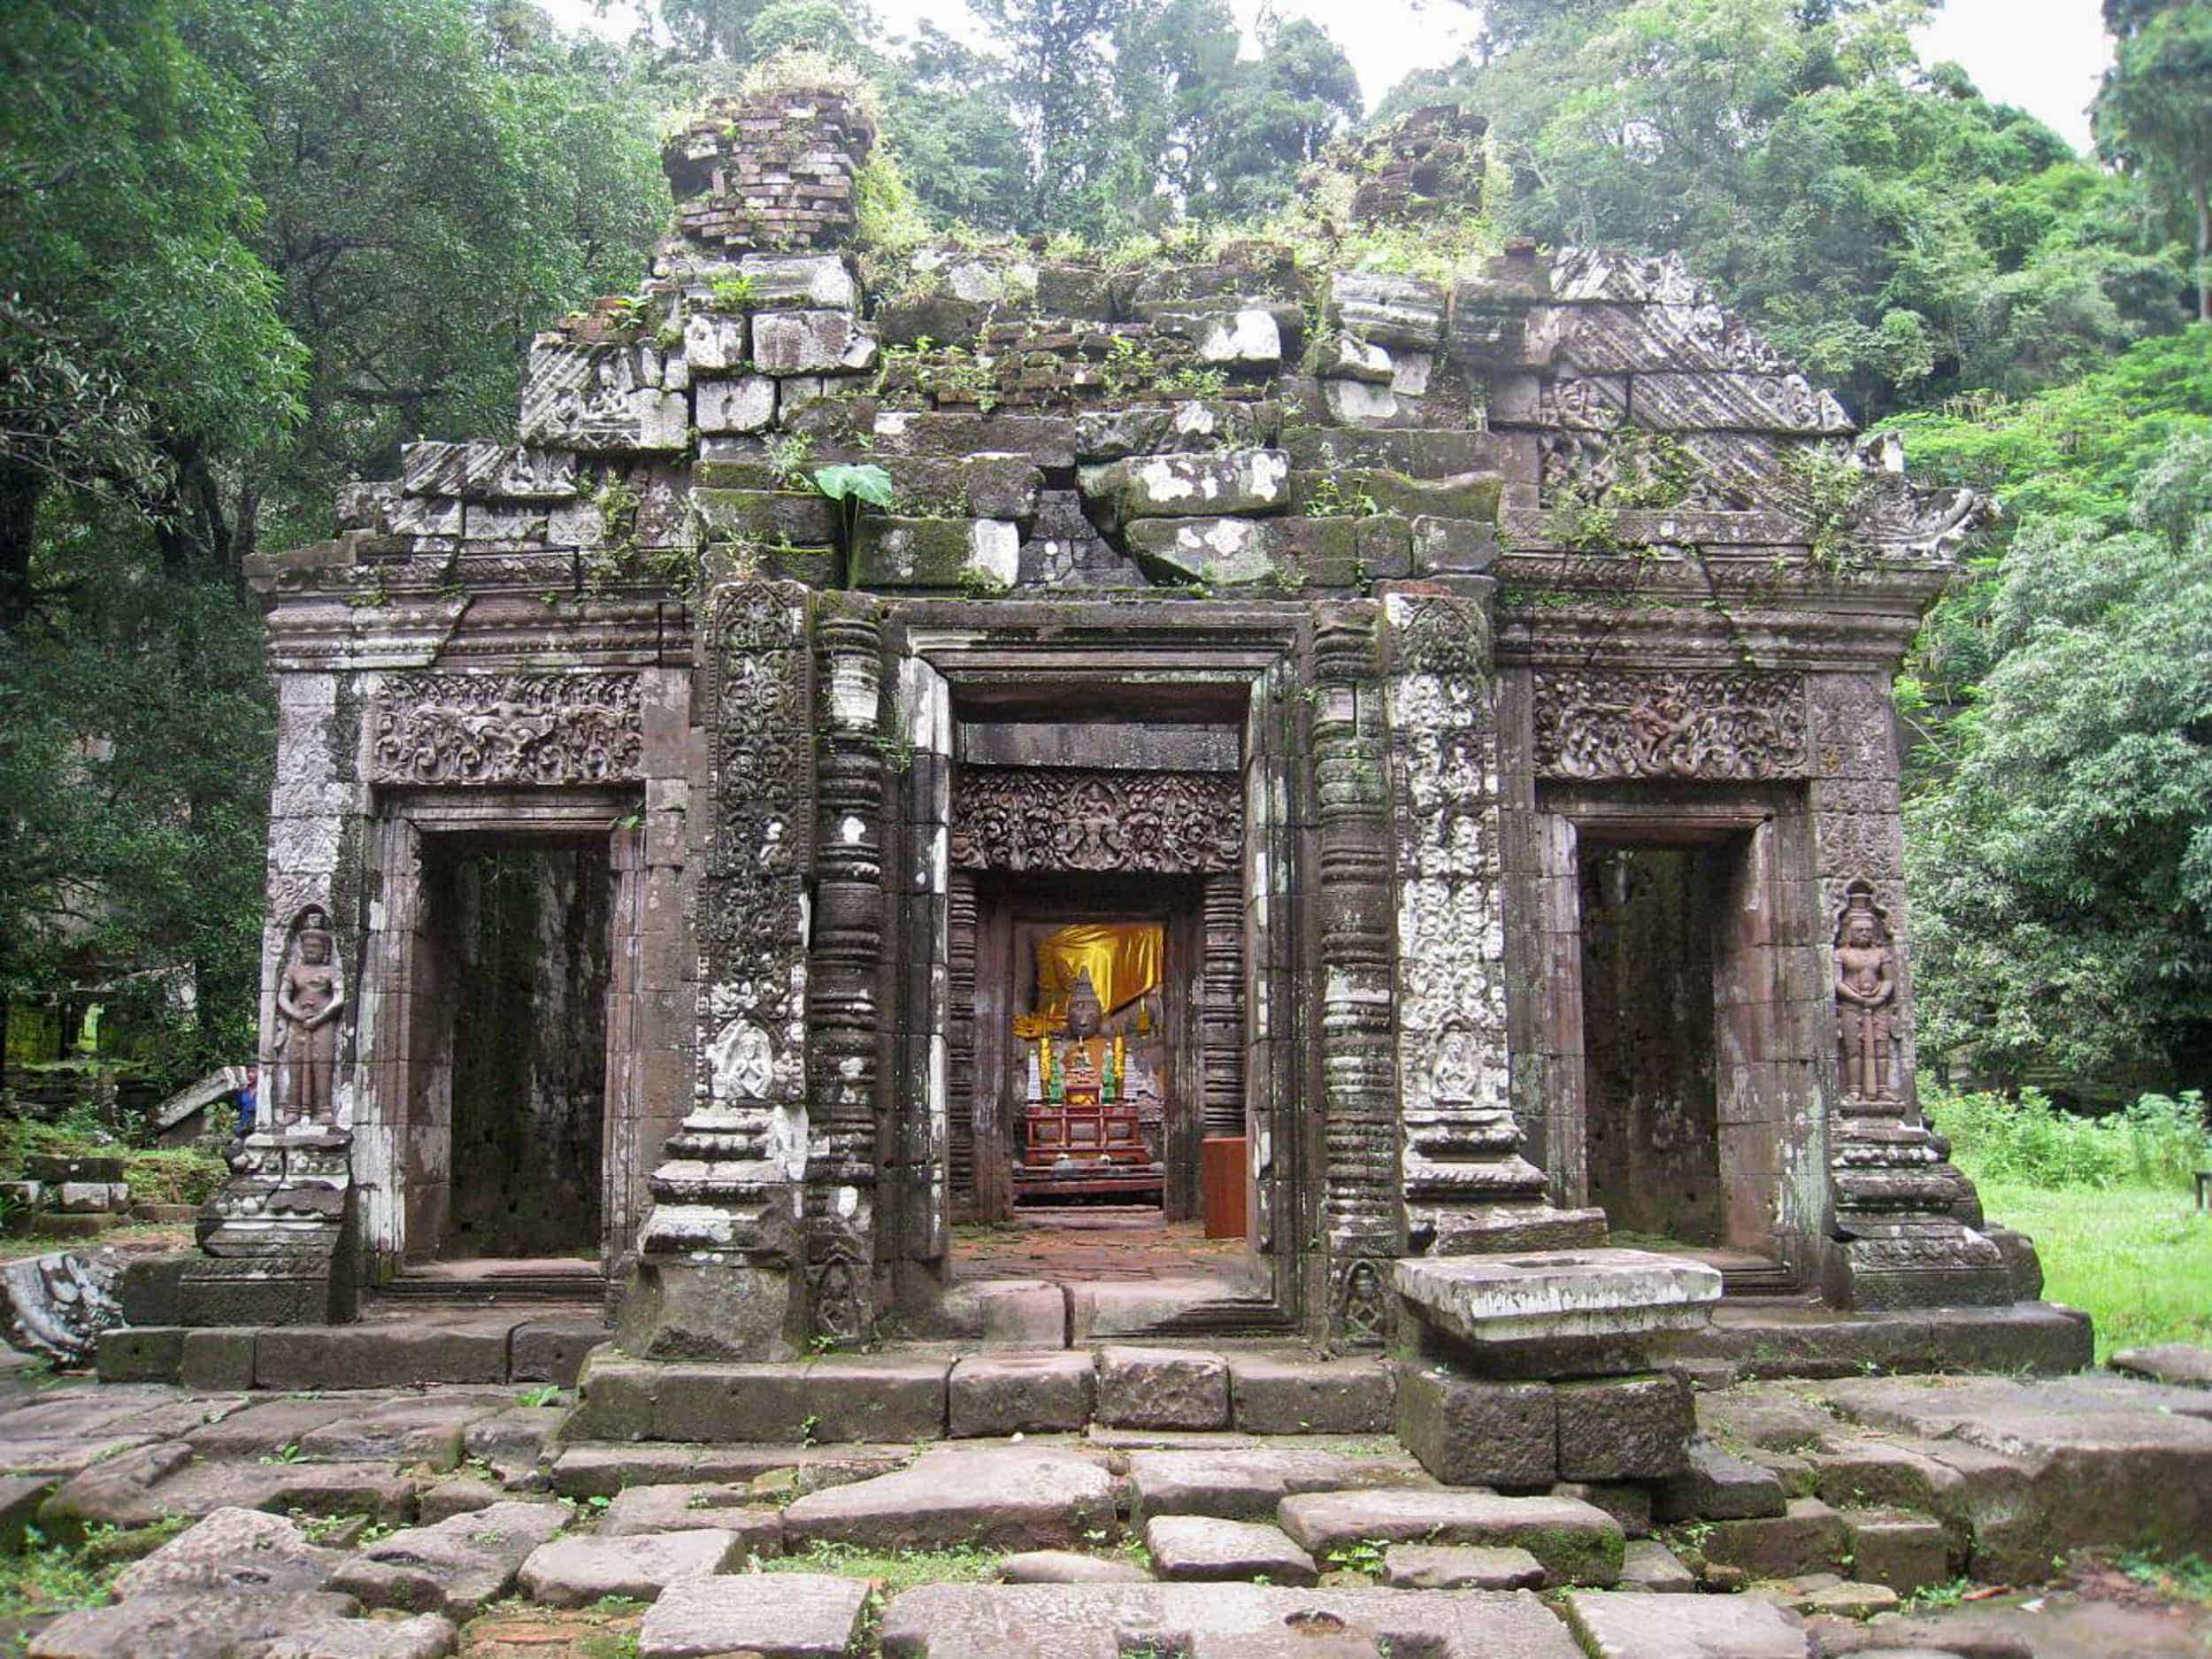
(138, 335)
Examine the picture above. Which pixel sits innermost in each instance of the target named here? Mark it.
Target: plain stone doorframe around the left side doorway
(404, 1041)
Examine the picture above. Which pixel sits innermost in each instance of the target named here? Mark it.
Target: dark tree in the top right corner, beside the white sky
(2156, 112)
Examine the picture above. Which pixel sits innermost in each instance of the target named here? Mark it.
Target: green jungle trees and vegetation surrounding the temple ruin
(253, 247)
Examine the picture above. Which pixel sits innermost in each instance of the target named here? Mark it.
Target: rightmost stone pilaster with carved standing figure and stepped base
(1908, 1224)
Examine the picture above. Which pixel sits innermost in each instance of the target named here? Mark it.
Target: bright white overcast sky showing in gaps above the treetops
(2038, 54)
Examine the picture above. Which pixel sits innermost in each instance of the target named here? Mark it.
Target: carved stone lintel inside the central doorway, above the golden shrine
(1156, 824)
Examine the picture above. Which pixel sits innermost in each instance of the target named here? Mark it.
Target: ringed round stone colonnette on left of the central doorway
(844, 1001)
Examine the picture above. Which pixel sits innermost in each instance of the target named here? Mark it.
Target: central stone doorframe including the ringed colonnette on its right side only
(1319, 1085)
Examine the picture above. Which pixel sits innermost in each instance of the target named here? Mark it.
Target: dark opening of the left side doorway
(528, 963)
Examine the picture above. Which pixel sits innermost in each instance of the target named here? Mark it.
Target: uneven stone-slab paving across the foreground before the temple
(455, 1521)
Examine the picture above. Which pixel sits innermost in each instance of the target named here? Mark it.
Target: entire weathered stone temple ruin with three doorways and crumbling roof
(1397, 771)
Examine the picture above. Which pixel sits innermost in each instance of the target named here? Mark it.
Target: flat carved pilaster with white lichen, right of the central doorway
(1465, 1180)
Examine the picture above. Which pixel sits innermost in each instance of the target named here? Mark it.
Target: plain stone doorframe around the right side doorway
(1775, 1023)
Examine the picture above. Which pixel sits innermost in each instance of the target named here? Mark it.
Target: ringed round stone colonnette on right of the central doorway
(1361, 1218)
